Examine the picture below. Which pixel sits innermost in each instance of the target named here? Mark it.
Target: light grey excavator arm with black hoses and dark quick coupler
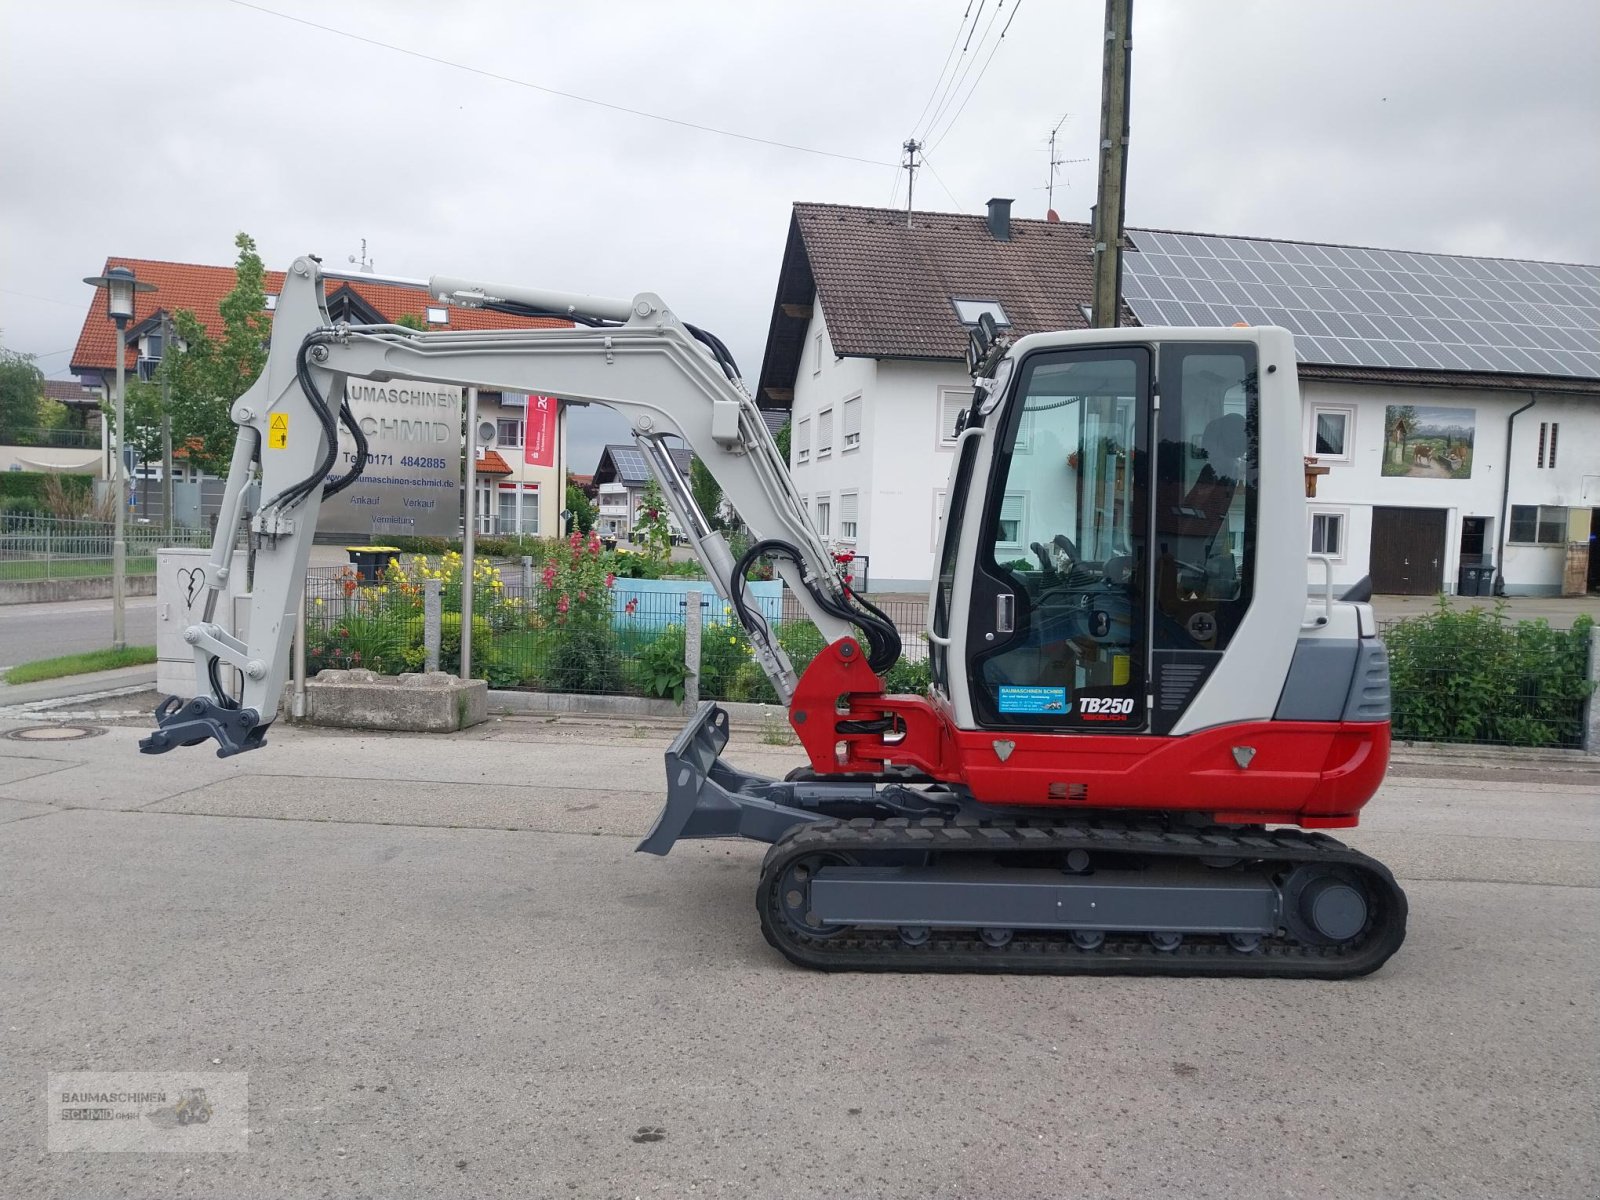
(670, 380)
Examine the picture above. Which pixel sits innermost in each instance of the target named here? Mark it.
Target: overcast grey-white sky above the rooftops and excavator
(1442, 126)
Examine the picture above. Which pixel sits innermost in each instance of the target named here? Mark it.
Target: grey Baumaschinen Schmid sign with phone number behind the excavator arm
(412, 484)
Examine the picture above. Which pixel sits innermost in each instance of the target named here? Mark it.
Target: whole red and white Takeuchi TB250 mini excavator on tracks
(1140, 722)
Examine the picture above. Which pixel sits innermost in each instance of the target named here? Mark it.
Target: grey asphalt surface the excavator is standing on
(447, 974)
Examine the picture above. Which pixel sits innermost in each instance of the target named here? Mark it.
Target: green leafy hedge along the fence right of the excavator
(1470, 676)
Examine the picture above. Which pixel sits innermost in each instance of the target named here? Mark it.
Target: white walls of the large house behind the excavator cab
(902, 470)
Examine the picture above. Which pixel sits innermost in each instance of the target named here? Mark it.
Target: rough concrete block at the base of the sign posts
(426, 703)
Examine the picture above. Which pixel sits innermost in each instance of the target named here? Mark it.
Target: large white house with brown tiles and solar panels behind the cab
(1414, 370)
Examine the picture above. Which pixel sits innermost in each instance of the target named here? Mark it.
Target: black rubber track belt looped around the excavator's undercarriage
(1047, 953)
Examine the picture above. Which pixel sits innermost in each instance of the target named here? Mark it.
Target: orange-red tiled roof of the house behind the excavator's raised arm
(201, 289)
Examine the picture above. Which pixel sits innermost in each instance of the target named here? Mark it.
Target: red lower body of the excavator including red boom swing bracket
(1306, 774)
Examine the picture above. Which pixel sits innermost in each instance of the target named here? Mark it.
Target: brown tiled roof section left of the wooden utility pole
(886, 286)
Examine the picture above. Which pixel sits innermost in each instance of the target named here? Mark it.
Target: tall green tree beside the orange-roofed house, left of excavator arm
(209, 375)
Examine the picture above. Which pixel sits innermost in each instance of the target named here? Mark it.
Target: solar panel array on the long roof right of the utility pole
(1375, 308)
